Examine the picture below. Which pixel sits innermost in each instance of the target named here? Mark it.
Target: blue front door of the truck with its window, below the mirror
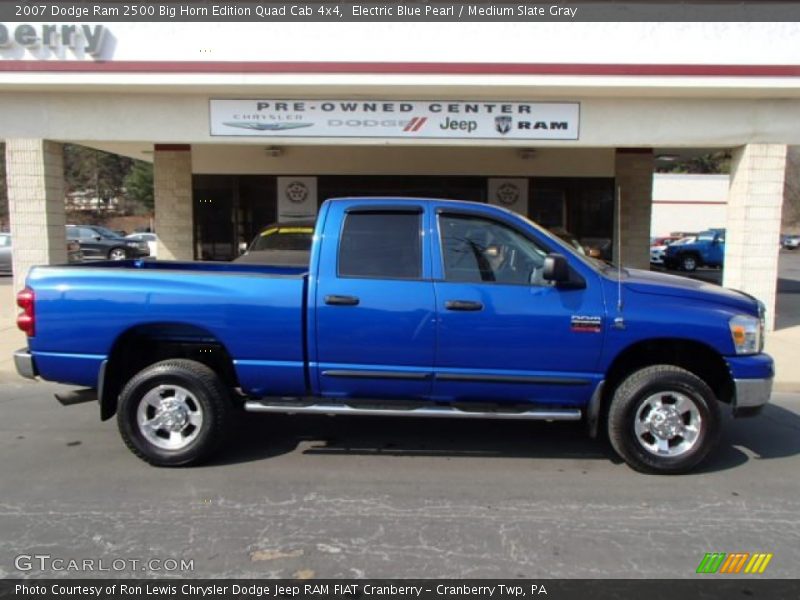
(504, 333)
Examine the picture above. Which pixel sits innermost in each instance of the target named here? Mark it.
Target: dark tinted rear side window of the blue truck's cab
(381, 245)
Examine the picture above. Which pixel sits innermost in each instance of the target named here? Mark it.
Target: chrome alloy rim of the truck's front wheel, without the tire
(668, 424)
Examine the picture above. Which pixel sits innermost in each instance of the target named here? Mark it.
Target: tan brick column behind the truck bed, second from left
(172, 187)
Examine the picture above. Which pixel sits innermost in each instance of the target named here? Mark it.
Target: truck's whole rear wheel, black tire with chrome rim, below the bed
(207, 396)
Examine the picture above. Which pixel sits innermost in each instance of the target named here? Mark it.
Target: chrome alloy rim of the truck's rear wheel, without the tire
(169, 417)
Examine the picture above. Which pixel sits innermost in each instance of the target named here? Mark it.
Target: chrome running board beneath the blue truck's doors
(561, 414)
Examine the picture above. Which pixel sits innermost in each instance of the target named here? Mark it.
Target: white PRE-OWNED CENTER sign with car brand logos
(396, 119)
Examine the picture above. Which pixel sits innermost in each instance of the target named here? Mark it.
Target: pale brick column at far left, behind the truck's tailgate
(35, 179)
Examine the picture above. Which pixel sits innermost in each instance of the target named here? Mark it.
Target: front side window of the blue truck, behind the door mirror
(475, 249)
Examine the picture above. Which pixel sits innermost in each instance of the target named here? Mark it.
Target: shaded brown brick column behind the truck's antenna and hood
(633, 171)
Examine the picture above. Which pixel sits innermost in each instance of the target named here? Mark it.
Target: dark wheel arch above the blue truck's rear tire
(143, 345)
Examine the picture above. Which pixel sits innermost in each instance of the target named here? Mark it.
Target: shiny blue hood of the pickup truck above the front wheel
(661, 284)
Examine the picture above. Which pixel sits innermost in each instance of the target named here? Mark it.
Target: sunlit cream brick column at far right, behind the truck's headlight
(753, 226)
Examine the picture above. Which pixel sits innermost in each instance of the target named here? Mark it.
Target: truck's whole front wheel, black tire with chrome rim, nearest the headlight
(632, 400)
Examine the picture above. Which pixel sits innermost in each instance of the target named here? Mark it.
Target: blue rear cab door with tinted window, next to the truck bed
(375, 308)
